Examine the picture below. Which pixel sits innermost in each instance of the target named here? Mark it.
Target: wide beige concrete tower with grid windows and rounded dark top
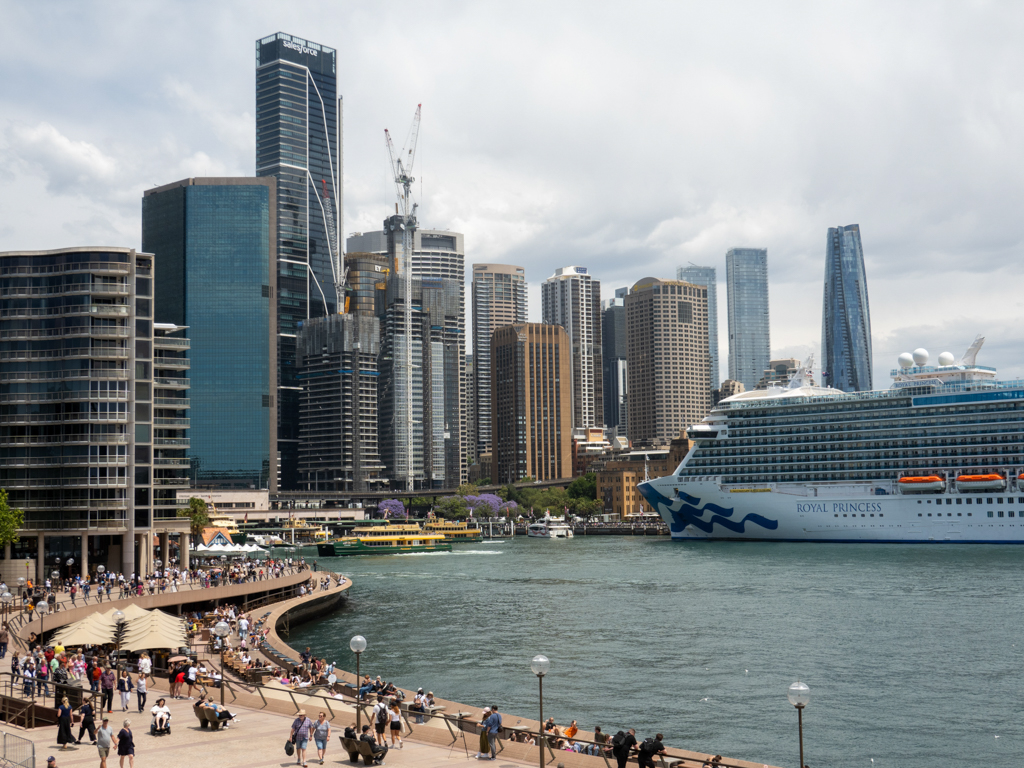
(668, 367)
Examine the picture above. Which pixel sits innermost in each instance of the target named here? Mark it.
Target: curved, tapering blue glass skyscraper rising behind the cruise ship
(846, 319)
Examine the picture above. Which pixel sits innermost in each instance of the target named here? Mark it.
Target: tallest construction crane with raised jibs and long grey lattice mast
(402, 167)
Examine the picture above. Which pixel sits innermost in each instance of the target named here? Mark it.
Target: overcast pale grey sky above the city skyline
(629, 138)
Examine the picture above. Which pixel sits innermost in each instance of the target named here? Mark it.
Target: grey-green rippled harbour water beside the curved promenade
(913, 654)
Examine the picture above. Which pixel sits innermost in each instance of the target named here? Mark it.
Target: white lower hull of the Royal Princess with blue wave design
(706, 510)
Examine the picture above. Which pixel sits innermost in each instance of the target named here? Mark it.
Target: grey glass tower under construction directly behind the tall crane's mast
(437, 460)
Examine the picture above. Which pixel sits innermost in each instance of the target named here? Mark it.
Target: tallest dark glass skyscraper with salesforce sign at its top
(297, 139)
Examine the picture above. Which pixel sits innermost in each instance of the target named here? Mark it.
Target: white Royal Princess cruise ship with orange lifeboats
(938, 457)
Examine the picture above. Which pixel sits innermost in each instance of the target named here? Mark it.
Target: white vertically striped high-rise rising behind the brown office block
(571, 298)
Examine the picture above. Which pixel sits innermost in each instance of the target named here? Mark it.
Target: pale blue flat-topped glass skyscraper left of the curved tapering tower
(750, 342)
